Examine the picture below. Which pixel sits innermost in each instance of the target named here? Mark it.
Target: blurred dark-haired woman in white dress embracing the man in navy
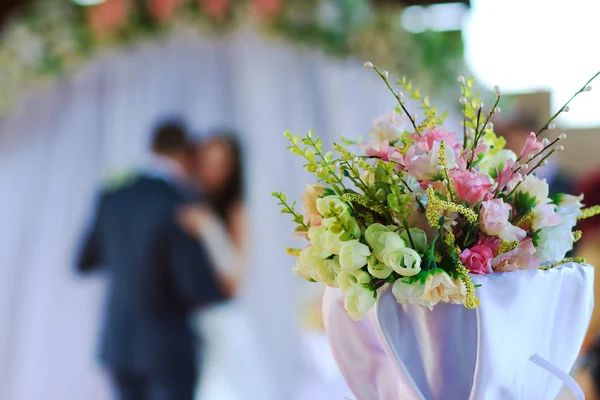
(230, 368)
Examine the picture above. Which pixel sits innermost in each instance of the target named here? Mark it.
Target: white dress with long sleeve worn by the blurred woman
(231, 368)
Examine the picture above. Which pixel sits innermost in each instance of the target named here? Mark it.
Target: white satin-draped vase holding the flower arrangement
(409, 352)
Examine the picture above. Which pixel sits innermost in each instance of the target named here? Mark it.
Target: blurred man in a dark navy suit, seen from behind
(158, 275)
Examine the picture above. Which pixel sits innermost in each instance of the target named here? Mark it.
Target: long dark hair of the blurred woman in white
(232, 190)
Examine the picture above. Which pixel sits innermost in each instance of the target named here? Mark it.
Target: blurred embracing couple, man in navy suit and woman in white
(171, 237)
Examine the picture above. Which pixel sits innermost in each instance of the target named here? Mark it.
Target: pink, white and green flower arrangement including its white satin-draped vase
(433, 219)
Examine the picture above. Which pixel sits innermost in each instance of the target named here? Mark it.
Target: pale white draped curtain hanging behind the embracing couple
(57, 147)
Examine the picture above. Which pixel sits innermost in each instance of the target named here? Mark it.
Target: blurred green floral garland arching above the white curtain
(51, 38)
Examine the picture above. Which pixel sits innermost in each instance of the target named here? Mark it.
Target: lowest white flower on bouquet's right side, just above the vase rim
(552, 243)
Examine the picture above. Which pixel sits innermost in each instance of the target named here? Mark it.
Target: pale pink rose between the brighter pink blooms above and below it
(493, 221)
